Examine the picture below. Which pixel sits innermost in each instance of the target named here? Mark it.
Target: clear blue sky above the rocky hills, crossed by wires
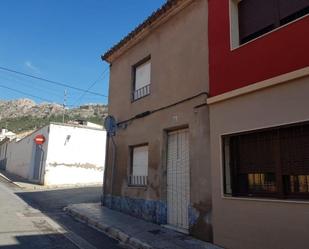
(62, 40)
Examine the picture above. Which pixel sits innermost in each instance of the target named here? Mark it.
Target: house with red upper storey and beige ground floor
(259, 122)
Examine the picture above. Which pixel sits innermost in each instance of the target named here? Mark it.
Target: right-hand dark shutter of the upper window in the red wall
(290, 7)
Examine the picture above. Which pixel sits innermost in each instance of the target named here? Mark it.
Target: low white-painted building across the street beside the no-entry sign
(71, 154)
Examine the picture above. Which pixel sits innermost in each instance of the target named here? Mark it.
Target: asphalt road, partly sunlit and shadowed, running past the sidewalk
(35, 220)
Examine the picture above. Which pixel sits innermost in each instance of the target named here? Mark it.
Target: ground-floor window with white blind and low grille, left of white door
(139, 166)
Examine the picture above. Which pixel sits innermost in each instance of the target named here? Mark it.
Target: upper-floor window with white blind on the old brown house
(141, 76)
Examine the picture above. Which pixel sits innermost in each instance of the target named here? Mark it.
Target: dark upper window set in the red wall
(257, 17)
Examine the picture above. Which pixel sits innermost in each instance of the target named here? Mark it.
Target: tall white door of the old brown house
(178, 179)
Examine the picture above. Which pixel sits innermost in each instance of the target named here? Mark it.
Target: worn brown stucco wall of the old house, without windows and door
(178, 91)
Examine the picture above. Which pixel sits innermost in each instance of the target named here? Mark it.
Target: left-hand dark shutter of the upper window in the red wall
(255, 16)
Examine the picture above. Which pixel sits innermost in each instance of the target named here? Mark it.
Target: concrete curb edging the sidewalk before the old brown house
(108, 230)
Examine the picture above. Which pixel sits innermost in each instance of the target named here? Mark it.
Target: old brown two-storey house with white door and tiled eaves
(159, 168)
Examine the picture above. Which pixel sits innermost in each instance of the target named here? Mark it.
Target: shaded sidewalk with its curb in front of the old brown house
(131, 231)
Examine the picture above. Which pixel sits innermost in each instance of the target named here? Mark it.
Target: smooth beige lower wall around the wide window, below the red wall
(258, 223)
